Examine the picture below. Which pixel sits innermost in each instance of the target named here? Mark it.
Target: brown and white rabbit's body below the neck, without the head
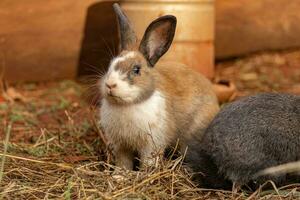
(174, 111)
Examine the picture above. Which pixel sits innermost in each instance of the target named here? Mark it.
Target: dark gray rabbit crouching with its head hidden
(245, 137)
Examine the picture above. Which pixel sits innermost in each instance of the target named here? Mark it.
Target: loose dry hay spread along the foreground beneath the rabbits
(28, 177)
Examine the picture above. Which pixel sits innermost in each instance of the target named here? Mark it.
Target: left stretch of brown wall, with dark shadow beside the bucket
(42, 40)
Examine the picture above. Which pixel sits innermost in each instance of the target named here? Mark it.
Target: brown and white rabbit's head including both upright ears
(131, 75)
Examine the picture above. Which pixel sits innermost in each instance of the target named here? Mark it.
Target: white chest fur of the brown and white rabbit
(136, 124)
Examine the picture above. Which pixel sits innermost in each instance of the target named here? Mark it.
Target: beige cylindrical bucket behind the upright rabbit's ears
(194, 39)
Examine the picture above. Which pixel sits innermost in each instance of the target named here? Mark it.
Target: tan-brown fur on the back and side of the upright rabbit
(191, 102)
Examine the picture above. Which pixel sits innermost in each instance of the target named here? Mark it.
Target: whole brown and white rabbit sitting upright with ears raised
(147, 106)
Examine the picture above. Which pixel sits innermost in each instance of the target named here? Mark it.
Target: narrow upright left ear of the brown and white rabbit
(128, 38)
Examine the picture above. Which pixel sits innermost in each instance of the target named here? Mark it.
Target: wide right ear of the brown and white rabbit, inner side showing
(158, 38)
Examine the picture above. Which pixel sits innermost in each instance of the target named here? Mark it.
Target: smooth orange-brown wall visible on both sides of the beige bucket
(53, 39)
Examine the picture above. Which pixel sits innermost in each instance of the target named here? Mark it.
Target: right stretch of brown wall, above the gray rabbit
(245, 26)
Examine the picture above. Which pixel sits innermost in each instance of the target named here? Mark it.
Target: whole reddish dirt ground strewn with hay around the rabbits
(53, 148)
